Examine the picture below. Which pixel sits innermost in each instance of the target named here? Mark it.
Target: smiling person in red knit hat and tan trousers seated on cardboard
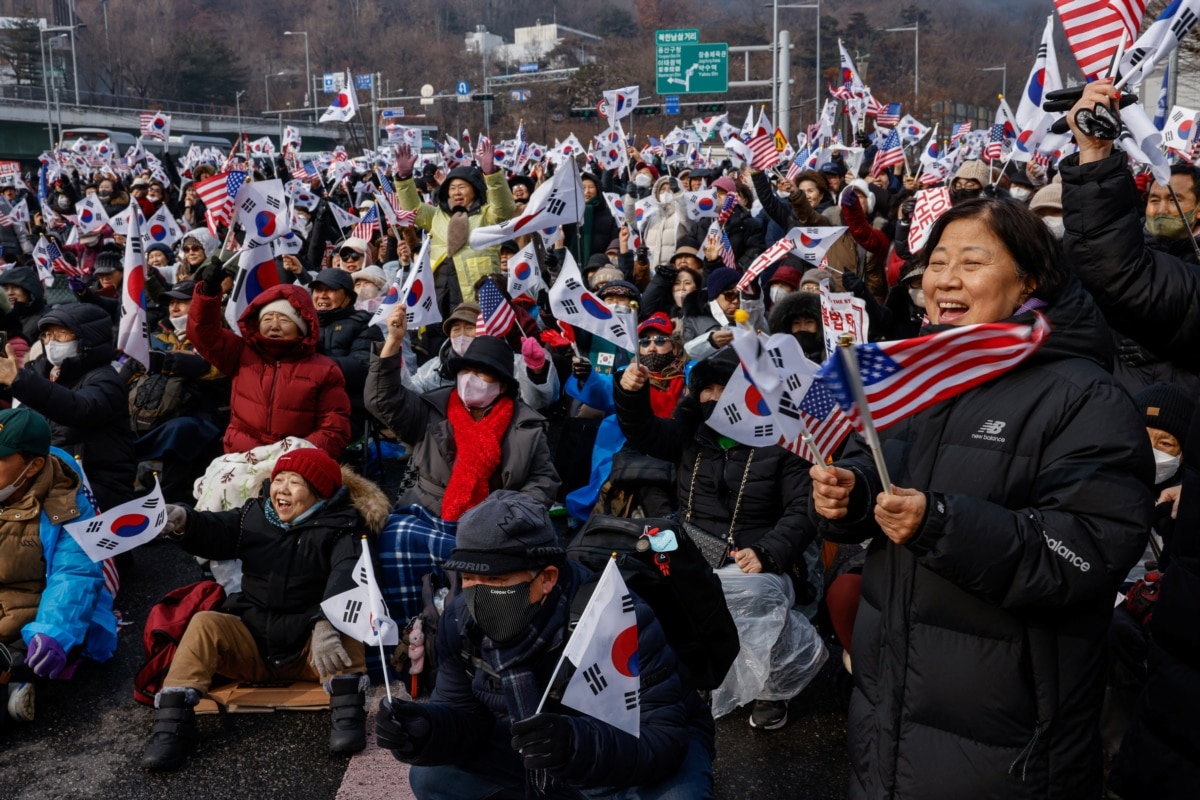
(299, 543)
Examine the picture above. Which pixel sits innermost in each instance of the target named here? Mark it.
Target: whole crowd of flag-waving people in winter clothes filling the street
(970, 596)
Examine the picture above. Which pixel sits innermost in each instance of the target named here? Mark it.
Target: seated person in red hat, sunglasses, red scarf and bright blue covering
(625, 482)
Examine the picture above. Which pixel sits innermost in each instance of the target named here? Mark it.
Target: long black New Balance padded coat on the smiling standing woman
(979, 648)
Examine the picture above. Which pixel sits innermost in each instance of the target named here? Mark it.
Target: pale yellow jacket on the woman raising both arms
(470, 264)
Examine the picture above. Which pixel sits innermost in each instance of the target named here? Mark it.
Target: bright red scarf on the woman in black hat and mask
(477, 454)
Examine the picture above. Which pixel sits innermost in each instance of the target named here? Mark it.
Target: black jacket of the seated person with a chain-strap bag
(772, 519)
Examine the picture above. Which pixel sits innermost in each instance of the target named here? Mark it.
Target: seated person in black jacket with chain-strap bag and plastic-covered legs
(753, 498)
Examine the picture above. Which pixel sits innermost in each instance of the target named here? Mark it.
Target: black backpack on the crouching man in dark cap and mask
(687, 600)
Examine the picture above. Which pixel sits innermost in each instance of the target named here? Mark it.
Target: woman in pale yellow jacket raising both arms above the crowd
(467, 200)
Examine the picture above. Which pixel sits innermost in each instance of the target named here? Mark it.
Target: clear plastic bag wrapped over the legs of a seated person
(781, 649)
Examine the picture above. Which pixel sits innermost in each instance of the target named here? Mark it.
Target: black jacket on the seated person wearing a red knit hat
(286, 574)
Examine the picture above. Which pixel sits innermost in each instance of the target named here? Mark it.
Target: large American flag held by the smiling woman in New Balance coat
(905, 377)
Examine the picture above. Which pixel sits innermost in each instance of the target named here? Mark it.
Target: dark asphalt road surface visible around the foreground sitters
(88, 738)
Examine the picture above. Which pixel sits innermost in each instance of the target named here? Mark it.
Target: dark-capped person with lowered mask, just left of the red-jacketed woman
(179, 410)
